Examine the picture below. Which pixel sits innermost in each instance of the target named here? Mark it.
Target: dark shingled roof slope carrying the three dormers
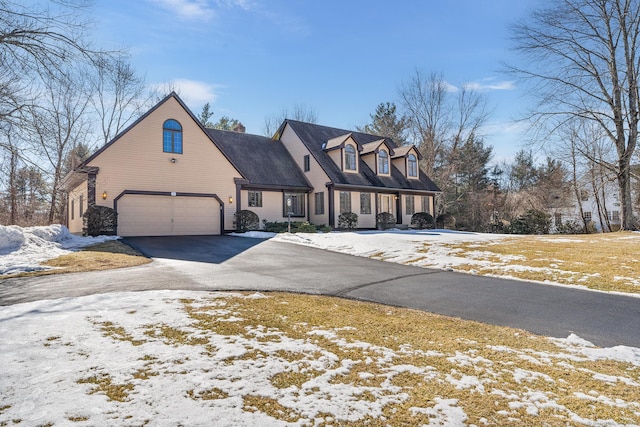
(313, 136)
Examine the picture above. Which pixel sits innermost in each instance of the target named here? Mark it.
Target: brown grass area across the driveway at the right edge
(608, 262)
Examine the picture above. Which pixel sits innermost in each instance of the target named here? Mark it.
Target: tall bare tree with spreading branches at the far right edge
(581, 57)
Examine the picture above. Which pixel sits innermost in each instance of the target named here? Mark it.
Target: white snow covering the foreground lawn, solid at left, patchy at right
(135, 358)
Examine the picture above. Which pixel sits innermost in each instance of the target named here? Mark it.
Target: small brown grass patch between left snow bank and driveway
(102, 256)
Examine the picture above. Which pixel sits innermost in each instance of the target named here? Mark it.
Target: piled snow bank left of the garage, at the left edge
(23, 249)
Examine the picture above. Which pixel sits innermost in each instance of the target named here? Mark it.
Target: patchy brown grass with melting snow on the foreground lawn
(405, 362)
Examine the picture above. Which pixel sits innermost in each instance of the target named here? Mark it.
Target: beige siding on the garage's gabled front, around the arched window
(136, 162)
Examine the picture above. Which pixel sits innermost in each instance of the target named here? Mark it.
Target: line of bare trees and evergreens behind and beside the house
(61, 98)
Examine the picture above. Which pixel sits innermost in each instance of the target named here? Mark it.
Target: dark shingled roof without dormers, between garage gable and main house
(261, 160)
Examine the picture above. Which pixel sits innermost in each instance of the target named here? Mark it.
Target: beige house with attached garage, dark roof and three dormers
(166, 174)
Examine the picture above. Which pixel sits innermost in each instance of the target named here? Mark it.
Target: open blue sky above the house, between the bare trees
(253, 58)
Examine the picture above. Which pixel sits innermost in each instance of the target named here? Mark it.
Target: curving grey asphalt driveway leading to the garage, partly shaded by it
(234, 263)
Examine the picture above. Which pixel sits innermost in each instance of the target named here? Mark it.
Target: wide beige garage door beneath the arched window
(145, 215)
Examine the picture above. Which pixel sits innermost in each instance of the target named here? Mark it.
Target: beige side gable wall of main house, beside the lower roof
(316, 176)
